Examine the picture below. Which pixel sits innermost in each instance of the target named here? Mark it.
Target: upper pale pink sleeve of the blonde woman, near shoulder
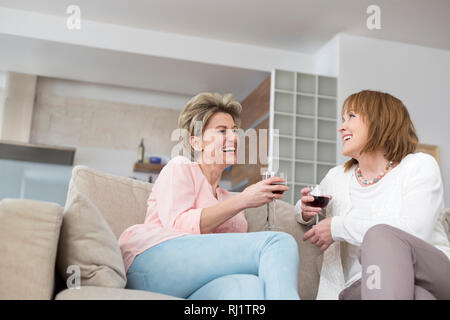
(175, 198)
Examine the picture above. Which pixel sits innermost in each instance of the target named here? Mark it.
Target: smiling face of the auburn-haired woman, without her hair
(354, 134)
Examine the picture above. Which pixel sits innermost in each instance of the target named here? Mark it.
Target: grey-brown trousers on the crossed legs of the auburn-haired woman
(398, 265)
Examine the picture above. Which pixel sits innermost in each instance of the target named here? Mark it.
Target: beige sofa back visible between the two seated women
(310, 255)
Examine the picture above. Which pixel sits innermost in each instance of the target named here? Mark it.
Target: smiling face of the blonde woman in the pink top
(219, 143)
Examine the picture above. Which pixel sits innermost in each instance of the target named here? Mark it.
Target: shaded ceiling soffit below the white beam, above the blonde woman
(53, 59)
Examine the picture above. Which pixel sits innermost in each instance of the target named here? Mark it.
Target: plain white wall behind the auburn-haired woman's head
(419, 76)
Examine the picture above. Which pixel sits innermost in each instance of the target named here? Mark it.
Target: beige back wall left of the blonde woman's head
(105, 123)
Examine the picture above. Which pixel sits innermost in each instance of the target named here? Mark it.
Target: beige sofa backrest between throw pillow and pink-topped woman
(121, 201)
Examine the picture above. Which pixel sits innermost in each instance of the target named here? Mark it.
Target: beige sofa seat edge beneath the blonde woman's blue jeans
(103, 293)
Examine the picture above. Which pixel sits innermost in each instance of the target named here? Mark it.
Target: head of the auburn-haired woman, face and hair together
(376, 122)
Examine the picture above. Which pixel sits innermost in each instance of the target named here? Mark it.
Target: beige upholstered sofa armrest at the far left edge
(29, 232)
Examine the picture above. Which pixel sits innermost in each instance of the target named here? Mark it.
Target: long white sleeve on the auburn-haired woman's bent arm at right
(421, 205)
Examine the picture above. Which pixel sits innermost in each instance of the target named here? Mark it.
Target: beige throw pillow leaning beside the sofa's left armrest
(87, 241)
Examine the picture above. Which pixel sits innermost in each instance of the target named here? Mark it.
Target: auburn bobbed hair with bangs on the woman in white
(389, 126)
